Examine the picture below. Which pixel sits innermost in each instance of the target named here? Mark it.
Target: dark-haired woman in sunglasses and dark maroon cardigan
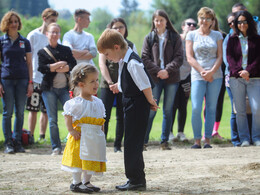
(244, 63)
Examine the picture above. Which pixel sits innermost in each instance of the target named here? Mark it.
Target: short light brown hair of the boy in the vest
(109, 38)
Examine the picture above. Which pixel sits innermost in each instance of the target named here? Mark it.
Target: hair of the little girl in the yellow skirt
(79, 74)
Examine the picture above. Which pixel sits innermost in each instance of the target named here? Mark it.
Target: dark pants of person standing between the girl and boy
(108, 98)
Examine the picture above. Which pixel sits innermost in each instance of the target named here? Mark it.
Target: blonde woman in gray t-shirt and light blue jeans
(204, 54)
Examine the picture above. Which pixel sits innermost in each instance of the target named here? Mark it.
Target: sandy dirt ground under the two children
(221, 170)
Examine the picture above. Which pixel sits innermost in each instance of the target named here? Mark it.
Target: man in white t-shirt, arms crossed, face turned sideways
(81, 43)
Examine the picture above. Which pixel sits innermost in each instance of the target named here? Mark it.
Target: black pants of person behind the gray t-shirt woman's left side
(180, 103)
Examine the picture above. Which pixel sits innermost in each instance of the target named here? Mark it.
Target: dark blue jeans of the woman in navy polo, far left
(14, 98)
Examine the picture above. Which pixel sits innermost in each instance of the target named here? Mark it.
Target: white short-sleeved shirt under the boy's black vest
(136, 70)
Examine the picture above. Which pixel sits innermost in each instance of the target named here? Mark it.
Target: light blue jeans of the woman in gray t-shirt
(199, 90)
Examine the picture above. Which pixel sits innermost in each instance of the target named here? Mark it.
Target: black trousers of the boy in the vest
(136, 113)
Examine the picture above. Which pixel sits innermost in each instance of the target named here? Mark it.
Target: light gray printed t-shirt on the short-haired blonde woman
(205, 51)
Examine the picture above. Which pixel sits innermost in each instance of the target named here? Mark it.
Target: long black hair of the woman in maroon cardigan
(251, 31)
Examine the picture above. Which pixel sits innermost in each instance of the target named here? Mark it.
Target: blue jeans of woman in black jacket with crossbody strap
(50, 99)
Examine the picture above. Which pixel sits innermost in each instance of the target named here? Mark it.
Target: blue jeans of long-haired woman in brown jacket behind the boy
(168, 101)
